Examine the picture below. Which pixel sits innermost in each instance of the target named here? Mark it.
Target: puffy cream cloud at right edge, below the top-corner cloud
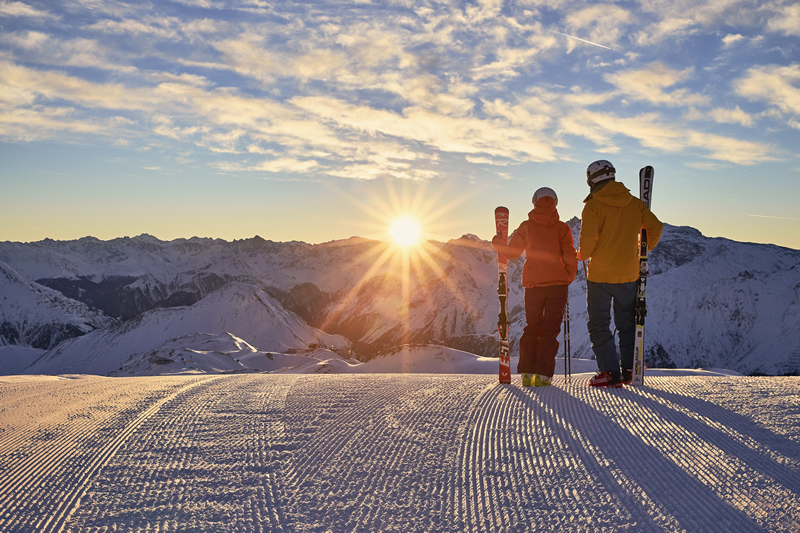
(775, 85)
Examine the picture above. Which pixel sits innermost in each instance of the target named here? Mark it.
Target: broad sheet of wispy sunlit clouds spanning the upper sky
(380, 90)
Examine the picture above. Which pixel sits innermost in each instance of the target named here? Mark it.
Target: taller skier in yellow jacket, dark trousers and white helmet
(611, 222)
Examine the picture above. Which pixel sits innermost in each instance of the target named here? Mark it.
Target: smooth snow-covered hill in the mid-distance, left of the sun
(237, 311)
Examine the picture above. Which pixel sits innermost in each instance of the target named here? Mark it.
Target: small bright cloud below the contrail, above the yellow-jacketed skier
(649, 85)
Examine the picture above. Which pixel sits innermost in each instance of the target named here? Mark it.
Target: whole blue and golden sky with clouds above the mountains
(318, 121)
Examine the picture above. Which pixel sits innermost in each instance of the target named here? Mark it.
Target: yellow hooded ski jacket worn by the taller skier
(610, 225)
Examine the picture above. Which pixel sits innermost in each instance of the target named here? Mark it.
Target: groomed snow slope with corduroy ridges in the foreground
(397, 452)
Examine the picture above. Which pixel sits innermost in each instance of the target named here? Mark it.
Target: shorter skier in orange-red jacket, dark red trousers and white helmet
(550, 266)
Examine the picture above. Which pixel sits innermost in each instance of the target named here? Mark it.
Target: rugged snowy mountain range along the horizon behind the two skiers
(711, 301)
